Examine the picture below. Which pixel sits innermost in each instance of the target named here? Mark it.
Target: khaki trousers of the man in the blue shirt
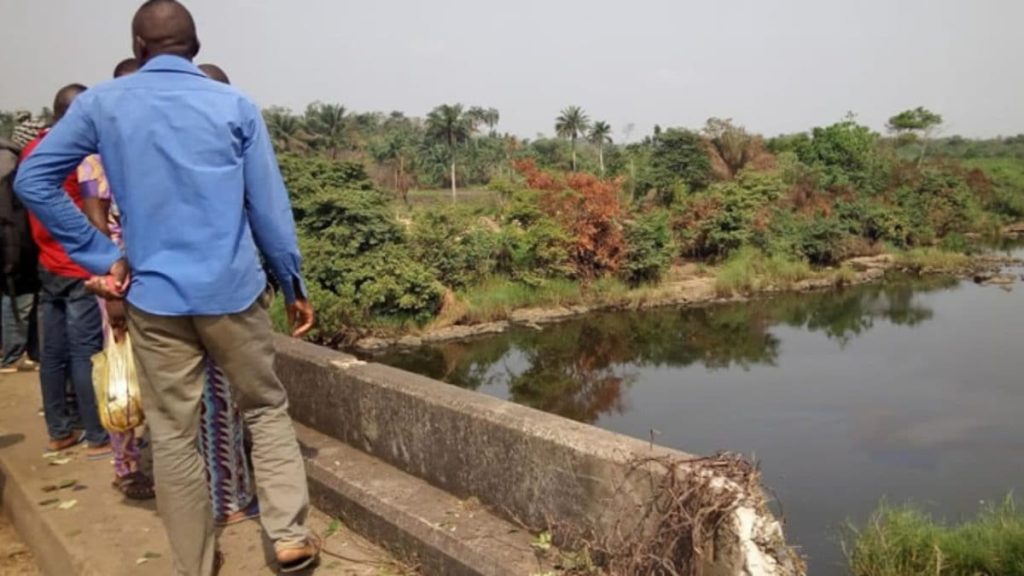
(170, 355)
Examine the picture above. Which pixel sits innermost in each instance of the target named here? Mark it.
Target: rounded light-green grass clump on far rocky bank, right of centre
(751, 271)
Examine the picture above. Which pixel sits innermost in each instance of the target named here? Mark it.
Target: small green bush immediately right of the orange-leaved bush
(649, 249)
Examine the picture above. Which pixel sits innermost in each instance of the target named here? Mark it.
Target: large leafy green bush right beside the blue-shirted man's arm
(359, 265)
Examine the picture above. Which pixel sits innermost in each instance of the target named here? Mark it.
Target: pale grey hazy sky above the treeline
(773, 65)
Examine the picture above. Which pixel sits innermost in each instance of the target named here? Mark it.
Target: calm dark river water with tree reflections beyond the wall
(909, 391)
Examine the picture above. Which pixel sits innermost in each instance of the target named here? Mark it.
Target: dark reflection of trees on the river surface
(578, 369)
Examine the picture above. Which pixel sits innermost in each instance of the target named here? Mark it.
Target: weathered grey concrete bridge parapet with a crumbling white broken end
(528, 466)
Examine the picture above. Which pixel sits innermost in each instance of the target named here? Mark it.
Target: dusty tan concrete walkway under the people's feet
(105, 536)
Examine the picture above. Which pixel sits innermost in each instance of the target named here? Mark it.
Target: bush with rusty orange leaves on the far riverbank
(589, 210)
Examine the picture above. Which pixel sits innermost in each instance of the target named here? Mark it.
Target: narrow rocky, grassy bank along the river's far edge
(686, 285)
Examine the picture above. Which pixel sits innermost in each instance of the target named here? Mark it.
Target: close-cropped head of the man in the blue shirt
(164, 27)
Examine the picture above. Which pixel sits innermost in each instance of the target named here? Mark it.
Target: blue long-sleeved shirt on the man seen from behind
(193, 171)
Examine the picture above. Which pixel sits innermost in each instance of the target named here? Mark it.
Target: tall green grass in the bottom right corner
(905, 542)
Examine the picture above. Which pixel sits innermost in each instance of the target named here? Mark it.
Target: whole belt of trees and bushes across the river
(556, 220)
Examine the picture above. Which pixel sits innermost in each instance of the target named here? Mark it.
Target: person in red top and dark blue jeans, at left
(71, 322)
